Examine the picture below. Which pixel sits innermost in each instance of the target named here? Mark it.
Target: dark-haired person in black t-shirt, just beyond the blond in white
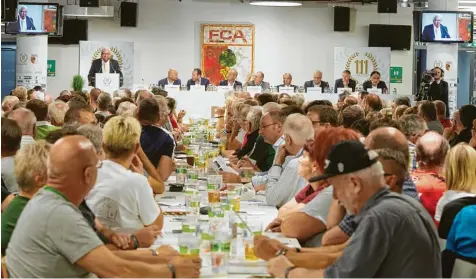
(155, 141)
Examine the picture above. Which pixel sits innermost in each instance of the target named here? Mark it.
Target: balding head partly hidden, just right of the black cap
(390, 138)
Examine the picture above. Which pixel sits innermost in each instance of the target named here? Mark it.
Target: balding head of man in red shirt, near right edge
(431, 150)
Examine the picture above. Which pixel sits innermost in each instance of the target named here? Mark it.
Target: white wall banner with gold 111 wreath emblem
(361, 62)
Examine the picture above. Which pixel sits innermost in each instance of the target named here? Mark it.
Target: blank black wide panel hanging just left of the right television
(396, 37)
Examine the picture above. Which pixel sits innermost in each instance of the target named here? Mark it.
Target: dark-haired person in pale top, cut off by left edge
(11, 138)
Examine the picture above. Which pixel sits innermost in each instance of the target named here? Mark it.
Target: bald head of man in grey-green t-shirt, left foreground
(72, 166)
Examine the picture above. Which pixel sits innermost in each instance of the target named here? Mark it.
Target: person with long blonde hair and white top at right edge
(460, 176)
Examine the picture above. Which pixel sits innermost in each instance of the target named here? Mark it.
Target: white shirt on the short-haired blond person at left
(122, 198)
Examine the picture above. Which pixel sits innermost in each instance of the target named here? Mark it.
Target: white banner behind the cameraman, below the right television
(445, 56)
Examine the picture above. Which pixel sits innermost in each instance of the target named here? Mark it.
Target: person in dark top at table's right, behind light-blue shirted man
(259, 156)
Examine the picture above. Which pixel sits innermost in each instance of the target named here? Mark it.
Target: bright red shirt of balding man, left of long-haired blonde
(431, 186)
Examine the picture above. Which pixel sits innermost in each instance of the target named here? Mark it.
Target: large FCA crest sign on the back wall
(226, 47)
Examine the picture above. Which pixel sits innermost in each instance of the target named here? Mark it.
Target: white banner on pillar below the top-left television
(31, 61)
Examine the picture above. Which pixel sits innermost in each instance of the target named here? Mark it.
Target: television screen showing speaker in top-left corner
(35, 18)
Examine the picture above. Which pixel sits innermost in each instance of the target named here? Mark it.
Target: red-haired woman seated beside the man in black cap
(312, 164)
